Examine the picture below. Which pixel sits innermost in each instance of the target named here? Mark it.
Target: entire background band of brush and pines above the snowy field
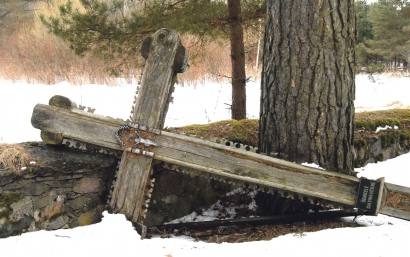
(53, 40)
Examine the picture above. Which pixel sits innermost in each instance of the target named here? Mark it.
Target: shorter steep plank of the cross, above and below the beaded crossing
(150, 109)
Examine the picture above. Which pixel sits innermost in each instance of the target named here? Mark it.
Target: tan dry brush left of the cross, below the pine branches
(40, 57)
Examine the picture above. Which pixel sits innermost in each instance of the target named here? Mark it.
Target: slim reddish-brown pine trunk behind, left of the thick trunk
(237, 60)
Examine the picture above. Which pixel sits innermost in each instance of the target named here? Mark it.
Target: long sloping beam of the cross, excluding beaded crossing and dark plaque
(224, 161)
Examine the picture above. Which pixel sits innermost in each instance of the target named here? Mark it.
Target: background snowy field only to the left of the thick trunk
(202, 103)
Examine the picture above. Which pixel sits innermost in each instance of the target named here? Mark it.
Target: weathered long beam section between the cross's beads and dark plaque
(254, 168)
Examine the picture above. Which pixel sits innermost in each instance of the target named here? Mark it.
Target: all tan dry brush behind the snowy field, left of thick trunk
(30, 53)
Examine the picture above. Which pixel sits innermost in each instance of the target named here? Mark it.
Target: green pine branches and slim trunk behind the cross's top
(115, 28)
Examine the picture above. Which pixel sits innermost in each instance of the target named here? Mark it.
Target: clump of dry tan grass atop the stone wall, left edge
(13, 157)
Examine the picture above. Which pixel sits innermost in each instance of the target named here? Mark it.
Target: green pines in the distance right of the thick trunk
(383, 35)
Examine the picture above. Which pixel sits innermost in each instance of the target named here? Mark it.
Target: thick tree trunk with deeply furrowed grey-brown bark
(308, 84)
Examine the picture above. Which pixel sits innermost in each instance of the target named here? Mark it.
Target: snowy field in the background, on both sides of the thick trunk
(203, 103)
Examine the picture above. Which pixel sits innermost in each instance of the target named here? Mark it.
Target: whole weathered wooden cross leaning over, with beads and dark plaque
(142, 141)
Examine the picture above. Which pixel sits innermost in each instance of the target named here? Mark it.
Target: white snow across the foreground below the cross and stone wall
(114, 236)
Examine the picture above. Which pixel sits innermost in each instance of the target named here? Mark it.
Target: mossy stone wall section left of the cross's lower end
(62, 186)
